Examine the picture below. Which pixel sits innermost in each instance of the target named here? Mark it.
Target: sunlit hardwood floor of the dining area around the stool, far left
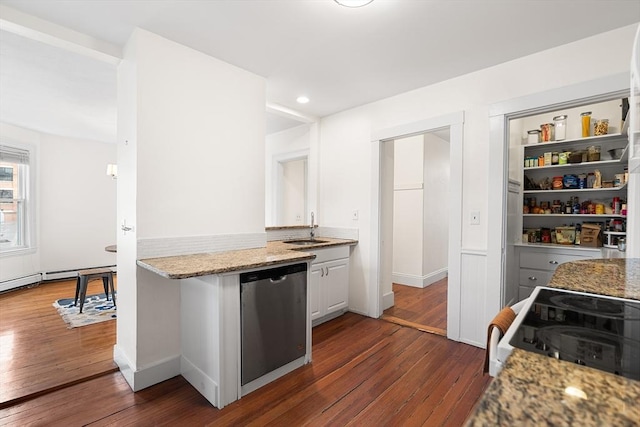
(37, 351)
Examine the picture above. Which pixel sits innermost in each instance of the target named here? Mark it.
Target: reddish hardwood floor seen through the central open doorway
(423, 308)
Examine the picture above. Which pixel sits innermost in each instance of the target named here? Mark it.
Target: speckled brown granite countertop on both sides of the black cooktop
(531, 388)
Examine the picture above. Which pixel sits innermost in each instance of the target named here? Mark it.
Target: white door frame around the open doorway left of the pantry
(381, 220)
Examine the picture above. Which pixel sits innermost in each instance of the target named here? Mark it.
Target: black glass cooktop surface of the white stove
(598, 332)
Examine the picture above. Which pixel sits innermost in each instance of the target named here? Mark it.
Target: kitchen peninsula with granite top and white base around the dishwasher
(211, 309)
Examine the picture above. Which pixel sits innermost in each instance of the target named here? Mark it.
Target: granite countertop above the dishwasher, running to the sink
(277, 252)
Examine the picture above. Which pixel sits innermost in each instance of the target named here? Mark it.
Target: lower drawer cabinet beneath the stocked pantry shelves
(537, 264)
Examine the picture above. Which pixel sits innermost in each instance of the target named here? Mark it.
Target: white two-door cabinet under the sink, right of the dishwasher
(329, 283)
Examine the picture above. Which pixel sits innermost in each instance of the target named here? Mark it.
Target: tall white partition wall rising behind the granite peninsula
(190, 164)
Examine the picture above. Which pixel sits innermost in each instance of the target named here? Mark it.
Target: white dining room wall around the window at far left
(75, 204)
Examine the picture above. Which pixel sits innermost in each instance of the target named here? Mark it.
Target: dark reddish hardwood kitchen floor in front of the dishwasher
(365, 372)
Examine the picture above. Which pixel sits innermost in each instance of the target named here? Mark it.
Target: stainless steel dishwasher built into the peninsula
(274, 319)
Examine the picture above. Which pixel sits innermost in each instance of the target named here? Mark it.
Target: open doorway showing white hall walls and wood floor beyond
(420, 231)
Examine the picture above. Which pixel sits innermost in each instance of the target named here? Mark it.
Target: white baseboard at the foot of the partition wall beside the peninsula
(149, 375)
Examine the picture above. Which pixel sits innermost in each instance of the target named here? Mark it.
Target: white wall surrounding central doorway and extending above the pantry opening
(346, 154)
